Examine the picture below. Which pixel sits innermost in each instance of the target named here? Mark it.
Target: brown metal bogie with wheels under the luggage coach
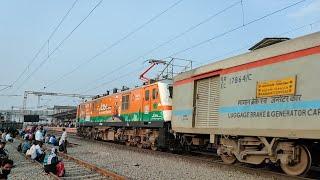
(293, 156)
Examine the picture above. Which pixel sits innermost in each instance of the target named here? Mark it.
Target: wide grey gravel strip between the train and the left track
(142, 165)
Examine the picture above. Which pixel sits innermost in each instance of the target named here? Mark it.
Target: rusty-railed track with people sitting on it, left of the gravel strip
(78, 169)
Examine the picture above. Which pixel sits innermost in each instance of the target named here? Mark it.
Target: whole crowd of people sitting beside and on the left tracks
(32, 147)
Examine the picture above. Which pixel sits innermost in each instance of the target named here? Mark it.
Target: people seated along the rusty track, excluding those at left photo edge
(32, 147)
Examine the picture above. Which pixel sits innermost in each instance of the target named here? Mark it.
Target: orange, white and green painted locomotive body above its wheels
(147, 104)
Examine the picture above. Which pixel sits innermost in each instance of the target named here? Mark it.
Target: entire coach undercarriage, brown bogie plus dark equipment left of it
(294, 156)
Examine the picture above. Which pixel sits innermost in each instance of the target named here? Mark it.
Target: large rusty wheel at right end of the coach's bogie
(301, 167)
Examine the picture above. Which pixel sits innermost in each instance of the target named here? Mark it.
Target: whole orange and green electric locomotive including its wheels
(139, 116)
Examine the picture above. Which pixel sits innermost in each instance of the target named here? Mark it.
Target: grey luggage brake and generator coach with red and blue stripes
(259, 107)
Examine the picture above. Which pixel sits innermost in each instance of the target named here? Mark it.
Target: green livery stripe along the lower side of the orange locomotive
(131, 117)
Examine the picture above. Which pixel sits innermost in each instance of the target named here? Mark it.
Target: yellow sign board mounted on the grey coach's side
(286, 86)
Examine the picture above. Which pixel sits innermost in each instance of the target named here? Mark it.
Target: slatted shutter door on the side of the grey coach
(207, 102)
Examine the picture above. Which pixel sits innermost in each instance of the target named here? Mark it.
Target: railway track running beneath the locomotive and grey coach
(214, 160)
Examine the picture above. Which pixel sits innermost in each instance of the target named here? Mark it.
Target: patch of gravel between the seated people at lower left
(24, 168)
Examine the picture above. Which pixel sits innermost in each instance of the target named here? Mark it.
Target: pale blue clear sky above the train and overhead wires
(90, 54)
